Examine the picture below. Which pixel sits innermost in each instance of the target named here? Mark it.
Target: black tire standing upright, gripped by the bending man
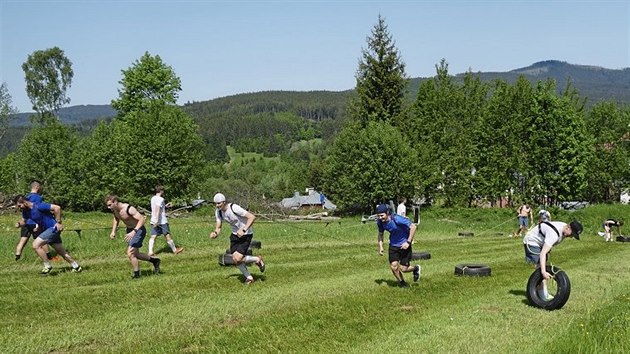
(561, 297)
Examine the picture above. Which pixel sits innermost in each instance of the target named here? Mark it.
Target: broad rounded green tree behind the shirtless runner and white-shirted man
(158, 146)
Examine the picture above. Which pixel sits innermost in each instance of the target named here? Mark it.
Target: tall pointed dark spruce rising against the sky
(381, 79)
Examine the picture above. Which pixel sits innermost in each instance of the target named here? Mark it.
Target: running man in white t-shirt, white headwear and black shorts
(241, 221)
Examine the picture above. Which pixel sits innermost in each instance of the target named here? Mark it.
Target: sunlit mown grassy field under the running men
(325, 290)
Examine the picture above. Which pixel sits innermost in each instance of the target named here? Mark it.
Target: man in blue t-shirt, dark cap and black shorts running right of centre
(401, 233)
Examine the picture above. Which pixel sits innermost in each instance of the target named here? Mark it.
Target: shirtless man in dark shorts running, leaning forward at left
(135, 233)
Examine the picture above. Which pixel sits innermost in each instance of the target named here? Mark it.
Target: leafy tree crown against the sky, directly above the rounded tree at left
(147, 81)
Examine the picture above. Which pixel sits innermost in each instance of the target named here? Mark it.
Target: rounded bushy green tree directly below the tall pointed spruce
(369, 165)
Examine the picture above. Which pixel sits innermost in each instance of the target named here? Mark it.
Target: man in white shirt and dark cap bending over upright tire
(540, 239)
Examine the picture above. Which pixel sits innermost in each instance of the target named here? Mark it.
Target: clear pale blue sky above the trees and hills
(222, 48)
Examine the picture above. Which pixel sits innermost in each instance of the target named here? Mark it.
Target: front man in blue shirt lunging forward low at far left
(48, 227)
